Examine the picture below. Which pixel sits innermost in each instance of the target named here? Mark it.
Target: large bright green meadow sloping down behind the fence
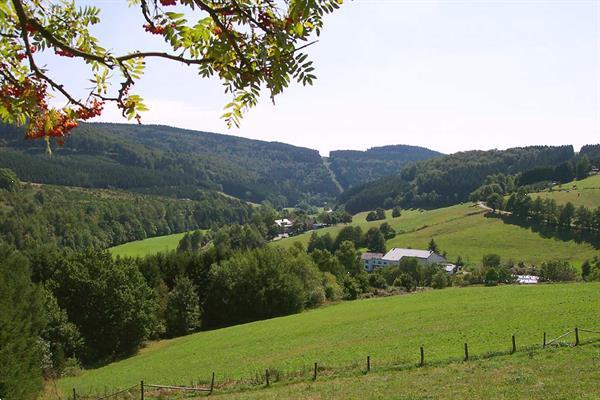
(340, 336)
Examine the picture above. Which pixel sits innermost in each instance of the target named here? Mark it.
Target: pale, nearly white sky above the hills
(448, 75)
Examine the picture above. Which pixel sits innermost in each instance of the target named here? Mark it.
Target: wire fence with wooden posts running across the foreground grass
(144, 390)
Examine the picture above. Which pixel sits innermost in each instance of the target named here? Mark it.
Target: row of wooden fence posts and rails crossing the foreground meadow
(209, 390)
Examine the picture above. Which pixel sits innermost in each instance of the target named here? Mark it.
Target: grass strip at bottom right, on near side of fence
(540, 374)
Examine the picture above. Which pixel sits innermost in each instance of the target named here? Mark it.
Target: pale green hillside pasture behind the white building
(465, 230)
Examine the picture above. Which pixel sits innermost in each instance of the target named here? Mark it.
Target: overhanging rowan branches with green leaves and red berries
(250, 45)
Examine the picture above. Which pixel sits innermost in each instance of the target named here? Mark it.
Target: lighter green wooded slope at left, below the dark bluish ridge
(32, 215)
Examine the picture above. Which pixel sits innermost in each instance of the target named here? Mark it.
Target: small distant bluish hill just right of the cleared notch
(353, 168)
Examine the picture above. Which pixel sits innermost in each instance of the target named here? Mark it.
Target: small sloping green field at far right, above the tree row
(585, 192)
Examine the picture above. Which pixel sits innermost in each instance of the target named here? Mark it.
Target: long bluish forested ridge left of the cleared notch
(170, 161)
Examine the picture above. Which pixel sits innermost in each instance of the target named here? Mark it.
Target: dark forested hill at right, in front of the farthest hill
(449, 179)
